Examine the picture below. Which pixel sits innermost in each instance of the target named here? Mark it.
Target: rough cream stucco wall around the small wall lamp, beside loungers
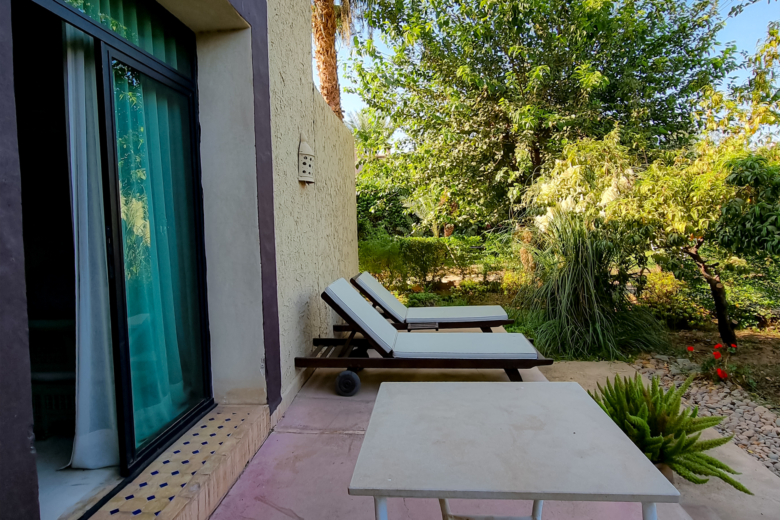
(316, 230)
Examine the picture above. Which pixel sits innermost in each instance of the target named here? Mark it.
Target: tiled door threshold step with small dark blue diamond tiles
(188, 481)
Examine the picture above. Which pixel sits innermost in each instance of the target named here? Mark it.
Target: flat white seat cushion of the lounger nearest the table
(463, 345)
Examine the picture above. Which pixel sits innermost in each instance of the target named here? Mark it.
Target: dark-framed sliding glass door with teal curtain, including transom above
(145, 151)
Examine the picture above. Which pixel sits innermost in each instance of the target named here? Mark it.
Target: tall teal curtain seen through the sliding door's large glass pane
(155, 176)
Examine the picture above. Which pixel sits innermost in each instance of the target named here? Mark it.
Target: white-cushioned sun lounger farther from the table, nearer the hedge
(482, 316)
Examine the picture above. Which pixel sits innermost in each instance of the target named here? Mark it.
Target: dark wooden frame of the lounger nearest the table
(352, 353)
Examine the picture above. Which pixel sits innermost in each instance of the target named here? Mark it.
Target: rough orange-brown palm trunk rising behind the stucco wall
(323, 23)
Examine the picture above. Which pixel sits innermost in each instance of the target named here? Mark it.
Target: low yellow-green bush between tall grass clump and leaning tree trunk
(670, 301)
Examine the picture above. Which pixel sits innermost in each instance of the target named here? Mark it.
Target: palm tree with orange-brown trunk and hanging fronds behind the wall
(328, 20)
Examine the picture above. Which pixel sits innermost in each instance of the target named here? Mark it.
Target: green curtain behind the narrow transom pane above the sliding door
(133, 21)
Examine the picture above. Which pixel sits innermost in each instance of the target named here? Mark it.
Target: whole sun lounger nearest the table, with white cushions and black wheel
(409, 350)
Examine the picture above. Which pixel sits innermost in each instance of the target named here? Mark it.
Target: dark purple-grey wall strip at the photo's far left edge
(19, 490)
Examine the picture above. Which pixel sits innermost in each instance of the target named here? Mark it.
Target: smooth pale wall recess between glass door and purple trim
(228, 163)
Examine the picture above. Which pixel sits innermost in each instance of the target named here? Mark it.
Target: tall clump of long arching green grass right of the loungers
(586, 307)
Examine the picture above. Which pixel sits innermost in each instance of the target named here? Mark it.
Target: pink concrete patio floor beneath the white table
(304, 467)
